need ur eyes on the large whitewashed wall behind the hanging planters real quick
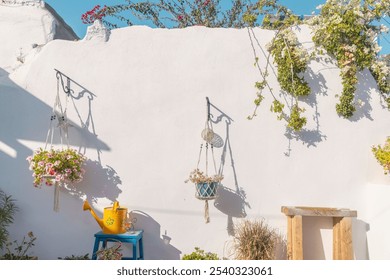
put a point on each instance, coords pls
(147, 89)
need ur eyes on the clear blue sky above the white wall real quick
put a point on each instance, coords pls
(71, 11)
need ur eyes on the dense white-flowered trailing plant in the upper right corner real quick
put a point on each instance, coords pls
(346, 30)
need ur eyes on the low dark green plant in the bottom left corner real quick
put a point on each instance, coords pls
(19, 250)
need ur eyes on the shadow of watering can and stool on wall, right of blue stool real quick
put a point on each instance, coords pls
(156, 245)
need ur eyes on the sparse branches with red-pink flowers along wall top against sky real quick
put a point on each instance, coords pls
(183, 13)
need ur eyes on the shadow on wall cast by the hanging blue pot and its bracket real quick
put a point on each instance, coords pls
(230, 202)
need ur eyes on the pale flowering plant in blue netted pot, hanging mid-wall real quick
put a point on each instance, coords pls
(206, 186)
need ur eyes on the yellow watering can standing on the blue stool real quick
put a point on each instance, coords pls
(114, 218)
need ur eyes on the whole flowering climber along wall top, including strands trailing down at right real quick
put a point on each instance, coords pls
(344, 29)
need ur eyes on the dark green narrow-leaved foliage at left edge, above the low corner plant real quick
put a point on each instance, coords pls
(7, 211)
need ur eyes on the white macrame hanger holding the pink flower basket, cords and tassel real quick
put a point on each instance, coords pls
(59, 115)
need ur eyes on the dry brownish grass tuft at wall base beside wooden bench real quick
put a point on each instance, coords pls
(254, 240)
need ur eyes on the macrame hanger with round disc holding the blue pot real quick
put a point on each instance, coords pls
(207, 192)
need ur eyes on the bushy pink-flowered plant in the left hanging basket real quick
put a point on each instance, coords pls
(56, 165)
